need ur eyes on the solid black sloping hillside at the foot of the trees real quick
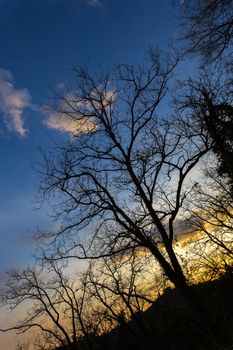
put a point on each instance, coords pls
(169, 325)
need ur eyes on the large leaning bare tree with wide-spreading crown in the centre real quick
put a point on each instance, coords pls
(121, 181)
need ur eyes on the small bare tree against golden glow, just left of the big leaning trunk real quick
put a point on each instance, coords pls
(122, 288)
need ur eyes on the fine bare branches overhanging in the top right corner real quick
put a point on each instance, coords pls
(208, 27)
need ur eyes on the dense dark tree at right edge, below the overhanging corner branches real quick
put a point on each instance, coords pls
(211, 97)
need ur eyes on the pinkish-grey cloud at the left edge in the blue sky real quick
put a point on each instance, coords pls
(12, 103)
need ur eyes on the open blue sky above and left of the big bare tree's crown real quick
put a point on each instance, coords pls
(40, 42)
